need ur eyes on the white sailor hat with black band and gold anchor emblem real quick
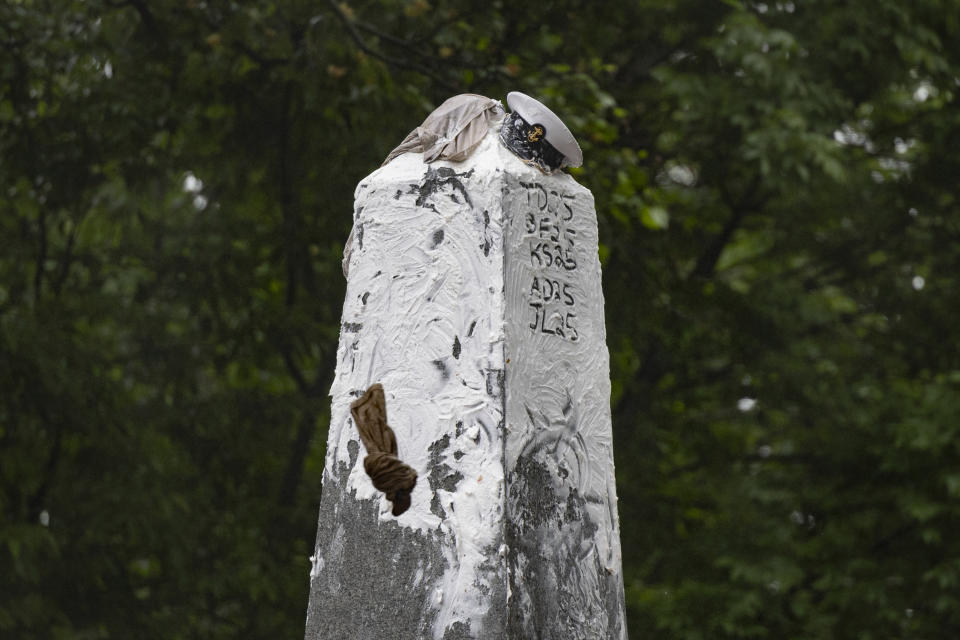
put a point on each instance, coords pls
(539, 125)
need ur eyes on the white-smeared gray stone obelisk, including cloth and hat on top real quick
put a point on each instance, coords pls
(474, 300)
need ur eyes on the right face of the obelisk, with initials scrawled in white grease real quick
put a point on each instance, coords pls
(562, 529)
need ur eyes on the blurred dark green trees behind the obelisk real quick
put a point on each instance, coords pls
(776, 184)
